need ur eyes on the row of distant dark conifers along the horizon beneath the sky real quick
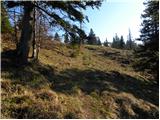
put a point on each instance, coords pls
(92, 39)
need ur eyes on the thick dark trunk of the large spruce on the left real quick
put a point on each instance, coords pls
(24, 45)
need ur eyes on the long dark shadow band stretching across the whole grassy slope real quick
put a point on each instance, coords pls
(36, 75)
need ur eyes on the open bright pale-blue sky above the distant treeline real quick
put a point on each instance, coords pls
(115, 16)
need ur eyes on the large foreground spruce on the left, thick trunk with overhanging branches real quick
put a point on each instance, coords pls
(73, 10)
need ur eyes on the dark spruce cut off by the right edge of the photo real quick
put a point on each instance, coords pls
(148, 52)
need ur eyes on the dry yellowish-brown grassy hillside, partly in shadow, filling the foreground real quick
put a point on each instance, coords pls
(99, 83)
